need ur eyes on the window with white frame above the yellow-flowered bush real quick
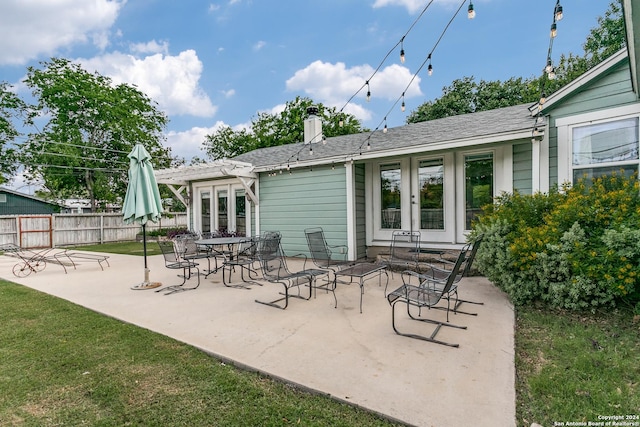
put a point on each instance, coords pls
(603, 148)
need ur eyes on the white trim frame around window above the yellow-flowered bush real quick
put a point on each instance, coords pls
(565, 128)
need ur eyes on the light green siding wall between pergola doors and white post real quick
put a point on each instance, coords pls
(306, 198)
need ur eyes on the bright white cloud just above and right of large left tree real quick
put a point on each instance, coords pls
(172, 81)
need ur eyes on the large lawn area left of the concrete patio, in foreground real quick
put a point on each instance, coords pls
(61, 364)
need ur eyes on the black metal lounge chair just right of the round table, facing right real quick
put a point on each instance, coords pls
(275, 270)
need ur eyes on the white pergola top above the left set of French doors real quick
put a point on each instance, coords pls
(220, 168)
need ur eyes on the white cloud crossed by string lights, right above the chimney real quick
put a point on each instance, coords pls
(334, 84)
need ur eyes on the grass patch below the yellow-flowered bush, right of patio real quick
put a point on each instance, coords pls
(575, 367)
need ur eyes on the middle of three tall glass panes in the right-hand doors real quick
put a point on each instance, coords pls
(431, 182)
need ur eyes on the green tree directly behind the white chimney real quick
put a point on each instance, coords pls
(269, 130)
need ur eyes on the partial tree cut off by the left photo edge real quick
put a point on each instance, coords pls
(11, 107)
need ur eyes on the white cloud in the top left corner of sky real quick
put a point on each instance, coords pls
(29, 29)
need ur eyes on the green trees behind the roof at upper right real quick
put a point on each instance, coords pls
(466, 96)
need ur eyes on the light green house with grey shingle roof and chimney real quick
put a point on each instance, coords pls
(432, 177)
